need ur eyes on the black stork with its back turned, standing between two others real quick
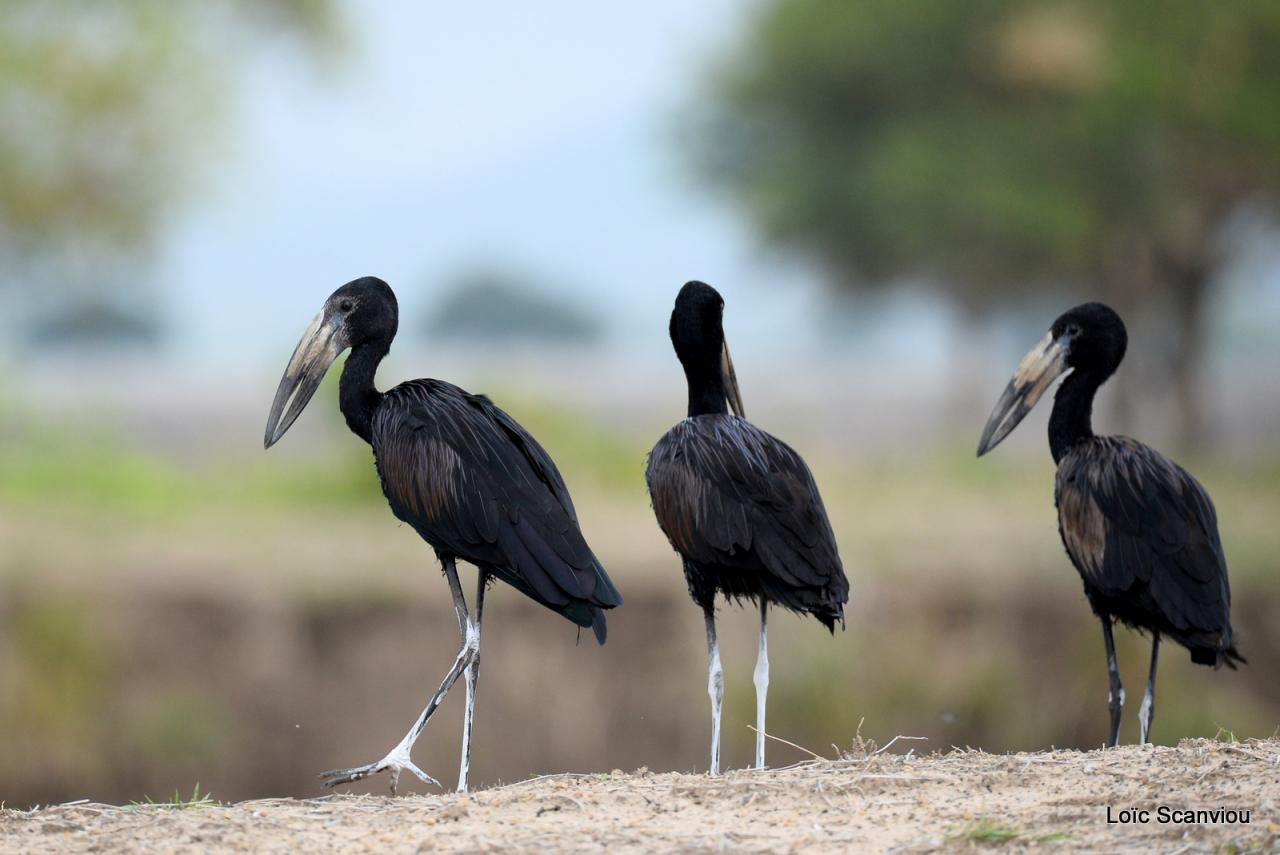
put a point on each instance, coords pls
(739, 506)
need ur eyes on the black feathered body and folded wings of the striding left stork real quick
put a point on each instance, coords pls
(477, 486)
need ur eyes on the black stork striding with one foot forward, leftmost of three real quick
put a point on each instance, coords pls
(464, 474)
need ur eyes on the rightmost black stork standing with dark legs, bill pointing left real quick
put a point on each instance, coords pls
(1140, 529)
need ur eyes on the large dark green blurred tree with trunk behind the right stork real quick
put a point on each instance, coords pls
(1002, 145)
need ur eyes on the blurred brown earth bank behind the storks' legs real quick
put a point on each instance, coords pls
(136, 693)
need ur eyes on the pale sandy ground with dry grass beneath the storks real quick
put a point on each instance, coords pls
(866, 802)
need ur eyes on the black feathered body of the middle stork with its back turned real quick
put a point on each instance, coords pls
(743, 510)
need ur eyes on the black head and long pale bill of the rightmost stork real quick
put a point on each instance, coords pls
(1090, 339)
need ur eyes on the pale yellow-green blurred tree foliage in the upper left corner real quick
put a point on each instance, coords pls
(108, 112)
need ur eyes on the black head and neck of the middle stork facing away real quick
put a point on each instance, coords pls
(698, 335)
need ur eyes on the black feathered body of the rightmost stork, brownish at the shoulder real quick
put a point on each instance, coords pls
(1144, 534)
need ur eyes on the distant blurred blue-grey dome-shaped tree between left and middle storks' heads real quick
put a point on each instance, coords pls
(492, 305)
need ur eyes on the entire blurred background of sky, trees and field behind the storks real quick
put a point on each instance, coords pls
(895, 200)
